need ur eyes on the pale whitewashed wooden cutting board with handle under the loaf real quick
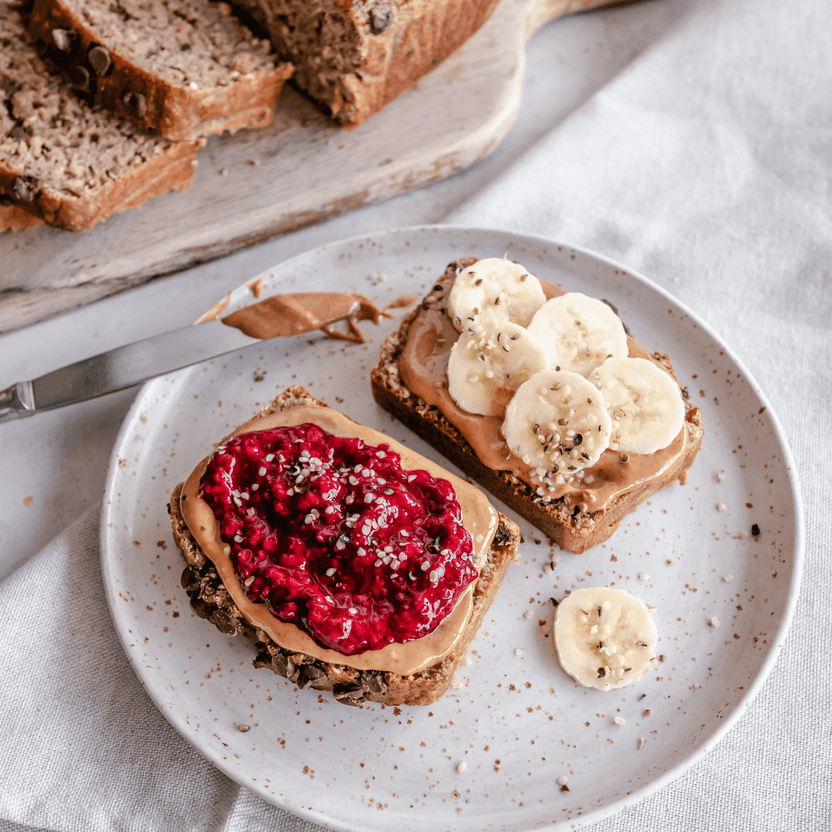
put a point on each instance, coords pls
(299, 171)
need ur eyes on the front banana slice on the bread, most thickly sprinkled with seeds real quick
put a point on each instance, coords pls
(558, 423)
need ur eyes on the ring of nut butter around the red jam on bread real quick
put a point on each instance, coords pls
(479, 518)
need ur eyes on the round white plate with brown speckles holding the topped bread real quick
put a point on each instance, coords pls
(518, 721)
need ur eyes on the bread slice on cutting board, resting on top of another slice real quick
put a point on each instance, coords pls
(186, 68)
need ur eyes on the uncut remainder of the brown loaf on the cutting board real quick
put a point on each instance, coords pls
(355, 56)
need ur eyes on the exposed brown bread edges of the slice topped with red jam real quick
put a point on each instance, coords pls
(211, 600)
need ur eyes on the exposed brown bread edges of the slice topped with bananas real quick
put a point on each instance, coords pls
(562, 520)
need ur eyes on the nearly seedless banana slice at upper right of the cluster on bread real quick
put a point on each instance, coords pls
(579, 332)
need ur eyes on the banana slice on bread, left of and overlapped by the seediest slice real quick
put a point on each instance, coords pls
(485, 369)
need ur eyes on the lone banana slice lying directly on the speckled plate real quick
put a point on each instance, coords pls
(604, 638)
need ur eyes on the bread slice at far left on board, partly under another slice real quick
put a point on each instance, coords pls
(71, 164)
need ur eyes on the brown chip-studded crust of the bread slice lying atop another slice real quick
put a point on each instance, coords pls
(131, 91)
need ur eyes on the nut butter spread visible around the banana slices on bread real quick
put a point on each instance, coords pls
(423, 367)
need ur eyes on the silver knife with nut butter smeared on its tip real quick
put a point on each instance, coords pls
(276, 316)
